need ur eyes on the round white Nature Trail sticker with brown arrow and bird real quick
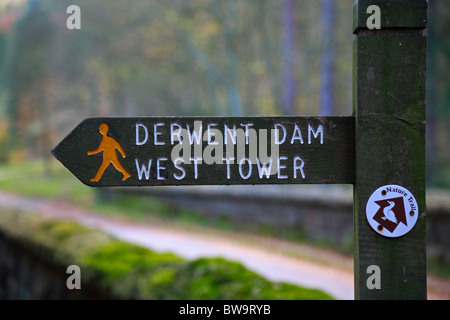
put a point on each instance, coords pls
(392, 211)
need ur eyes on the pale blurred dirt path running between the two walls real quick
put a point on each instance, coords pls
(267, 257)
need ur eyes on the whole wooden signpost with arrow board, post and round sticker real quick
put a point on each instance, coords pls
(380, 150)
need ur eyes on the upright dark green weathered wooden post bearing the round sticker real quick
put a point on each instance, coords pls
(389, 105)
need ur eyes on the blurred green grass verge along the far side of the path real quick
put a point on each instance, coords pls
(52, 181)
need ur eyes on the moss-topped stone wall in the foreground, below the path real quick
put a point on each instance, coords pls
(36, 252)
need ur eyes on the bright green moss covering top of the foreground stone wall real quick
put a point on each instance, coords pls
(119, 270)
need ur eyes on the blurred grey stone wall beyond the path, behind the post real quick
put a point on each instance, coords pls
(315, 213)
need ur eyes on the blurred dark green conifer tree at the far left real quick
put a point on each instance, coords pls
(26, 74)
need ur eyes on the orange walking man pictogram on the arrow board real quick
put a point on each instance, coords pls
(109, 146)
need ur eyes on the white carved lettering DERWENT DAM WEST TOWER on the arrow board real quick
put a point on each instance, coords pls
(245, 152)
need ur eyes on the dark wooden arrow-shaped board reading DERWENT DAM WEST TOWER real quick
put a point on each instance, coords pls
(210, 151)
